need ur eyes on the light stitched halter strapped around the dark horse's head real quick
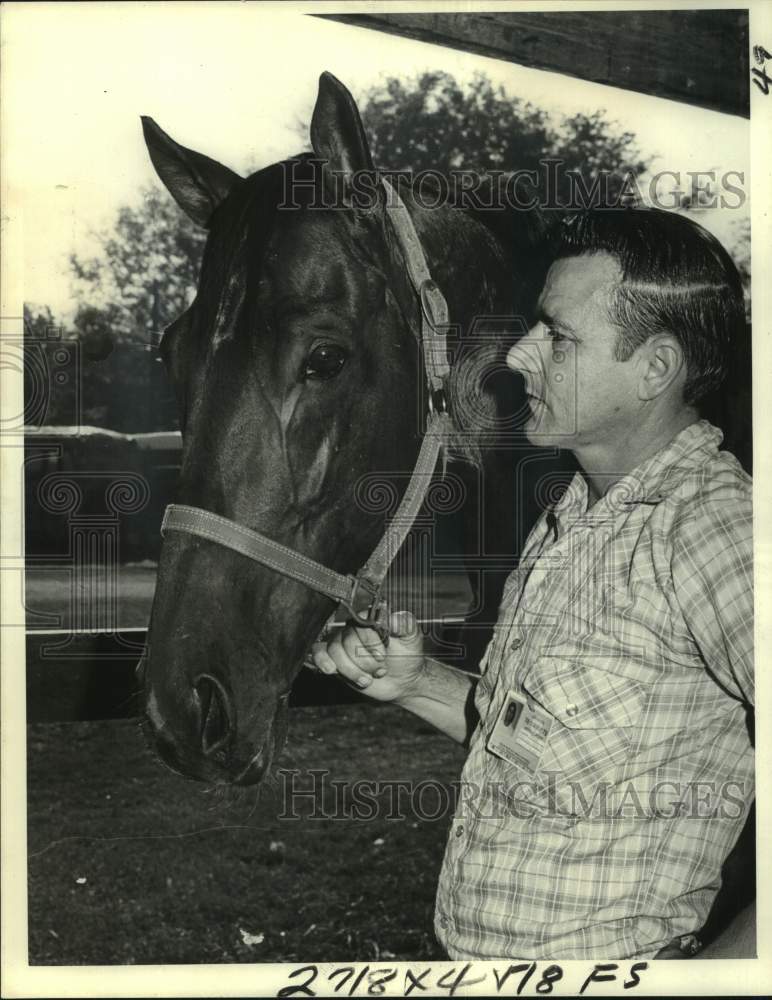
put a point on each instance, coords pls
(359, 593)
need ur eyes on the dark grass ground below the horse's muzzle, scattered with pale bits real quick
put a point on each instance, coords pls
(130, 864)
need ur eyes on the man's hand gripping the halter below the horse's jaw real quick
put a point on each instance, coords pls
(386, 673)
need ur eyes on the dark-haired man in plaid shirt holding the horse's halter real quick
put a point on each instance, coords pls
(596, 825)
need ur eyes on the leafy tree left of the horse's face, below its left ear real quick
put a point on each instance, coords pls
(144, 277)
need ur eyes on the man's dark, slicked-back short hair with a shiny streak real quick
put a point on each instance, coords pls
(676, 278)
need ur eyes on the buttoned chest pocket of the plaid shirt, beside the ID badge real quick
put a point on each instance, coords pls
(594, 714)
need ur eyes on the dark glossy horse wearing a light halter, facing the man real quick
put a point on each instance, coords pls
(298, 371)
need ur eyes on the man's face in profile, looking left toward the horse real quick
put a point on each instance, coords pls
(578, 393)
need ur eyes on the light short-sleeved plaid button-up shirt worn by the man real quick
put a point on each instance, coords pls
(628, 630)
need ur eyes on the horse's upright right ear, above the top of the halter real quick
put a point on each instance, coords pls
(337, 134)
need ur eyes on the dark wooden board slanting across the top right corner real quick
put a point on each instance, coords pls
(696, 56)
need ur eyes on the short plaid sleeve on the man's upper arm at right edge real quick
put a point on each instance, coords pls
(713, 580)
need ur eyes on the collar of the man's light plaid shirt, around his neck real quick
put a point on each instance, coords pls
(654, 479)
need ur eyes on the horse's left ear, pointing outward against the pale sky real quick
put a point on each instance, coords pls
(197, 183)
